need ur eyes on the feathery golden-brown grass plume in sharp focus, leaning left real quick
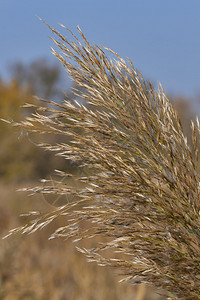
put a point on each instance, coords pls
(141, 188)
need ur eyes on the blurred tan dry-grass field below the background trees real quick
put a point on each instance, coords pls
(34, 267)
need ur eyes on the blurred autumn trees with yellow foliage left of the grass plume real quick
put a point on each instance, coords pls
(21, 159)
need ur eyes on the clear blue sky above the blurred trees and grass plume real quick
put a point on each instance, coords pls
(162, 38)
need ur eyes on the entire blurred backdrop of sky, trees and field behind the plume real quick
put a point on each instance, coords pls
(162, 38)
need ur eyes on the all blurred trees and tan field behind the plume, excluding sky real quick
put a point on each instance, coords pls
(33, 267)
